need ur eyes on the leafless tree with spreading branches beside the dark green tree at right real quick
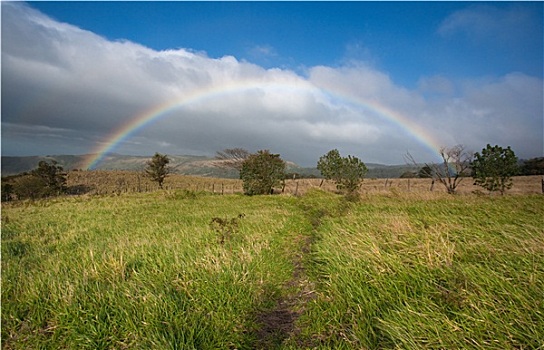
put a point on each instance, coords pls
(452, 169)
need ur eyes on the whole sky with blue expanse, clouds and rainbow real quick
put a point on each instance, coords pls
(372, 79)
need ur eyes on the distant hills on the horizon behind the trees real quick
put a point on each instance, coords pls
(180, 164)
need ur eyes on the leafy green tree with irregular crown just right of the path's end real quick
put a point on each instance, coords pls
(347, 172)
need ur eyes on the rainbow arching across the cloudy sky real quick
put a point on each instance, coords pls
(149, 116)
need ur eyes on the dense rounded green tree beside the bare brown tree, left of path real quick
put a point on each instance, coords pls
(261, 172)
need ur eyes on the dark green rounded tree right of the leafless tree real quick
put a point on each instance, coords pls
(494, 167)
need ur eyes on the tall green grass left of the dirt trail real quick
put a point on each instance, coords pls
(141, 271)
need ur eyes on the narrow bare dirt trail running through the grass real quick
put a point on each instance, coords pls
(279, 324)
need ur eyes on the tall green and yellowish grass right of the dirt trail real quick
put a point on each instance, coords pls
(443, 273)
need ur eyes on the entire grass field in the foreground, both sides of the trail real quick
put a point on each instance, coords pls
(396, 270)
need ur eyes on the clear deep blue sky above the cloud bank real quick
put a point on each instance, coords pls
(405, 39)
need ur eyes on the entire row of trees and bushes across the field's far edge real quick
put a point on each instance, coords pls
(263, 171)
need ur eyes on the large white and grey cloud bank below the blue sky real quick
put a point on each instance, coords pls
(66, 90)
